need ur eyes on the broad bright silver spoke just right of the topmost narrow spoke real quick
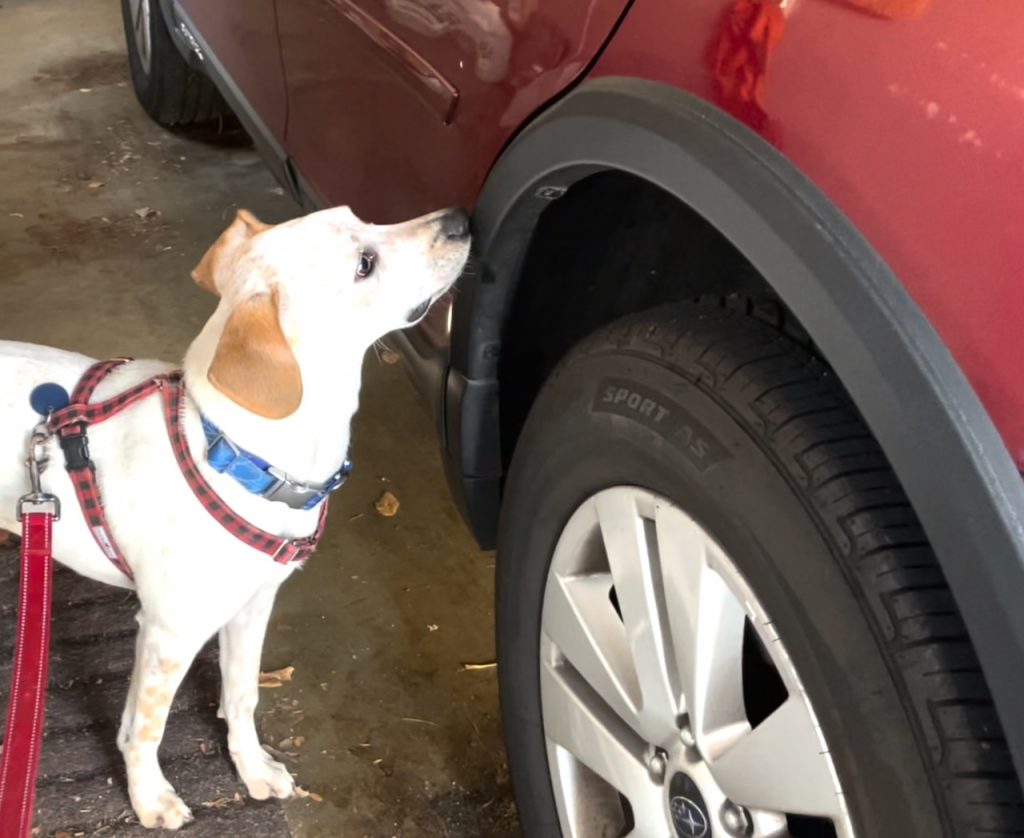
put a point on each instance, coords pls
(707, 624)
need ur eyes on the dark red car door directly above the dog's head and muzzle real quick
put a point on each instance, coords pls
(400, 107)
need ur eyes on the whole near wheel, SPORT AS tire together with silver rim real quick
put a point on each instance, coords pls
(717, 613)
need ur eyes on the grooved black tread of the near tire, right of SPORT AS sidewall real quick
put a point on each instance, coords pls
(799, 410)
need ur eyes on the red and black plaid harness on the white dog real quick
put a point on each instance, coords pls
(71, 425)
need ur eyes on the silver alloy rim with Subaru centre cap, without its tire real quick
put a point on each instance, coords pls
(670, 705)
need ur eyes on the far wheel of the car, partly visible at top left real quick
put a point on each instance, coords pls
(169, 91)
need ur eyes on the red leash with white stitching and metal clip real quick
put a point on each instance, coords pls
(27, 700)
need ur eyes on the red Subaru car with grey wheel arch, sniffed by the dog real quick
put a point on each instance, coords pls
(733, 385)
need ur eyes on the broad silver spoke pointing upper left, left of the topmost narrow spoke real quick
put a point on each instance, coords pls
(583, 625)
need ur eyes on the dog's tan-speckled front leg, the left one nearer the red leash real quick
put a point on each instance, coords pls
(162, 658)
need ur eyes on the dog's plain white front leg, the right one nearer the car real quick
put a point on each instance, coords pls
(241, 647)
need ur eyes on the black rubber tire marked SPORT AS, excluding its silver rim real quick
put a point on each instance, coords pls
(764, 451)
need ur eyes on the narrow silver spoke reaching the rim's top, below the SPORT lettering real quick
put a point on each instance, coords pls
(632, 552)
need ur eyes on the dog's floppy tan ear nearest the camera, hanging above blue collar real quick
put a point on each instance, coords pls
(254, 366)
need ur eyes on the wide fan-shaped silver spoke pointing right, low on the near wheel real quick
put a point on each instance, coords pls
(781, 766)
